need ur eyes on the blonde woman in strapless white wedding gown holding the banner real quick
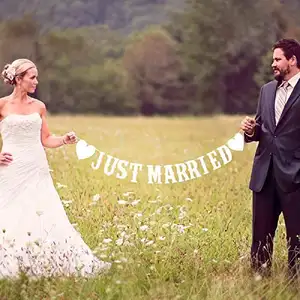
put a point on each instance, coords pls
(36, 237)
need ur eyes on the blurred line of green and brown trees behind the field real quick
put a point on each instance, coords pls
(209, 58)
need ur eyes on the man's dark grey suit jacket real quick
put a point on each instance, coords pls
(280, 143)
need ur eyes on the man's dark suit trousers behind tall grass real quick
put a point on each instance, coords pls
(267, 206)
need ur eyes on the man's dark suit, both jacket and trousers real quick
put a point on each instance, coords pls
(275, 178)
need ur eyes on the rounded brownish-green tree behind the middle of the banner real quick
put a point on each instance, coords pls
(155, 70)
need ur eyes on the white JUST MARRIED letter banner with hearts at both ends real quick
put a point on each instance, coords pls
(162, 174)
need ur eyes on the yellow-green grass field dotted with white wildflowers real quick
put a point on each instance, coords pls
(186, 240)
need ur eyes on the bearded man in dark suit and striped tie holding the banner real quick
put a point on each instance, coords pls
(275, 178)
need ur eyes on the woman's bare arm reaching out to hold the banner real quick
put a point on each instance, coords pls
(49, 140)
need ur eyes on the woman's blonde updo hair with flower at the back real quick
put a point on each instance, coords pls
(17, 68)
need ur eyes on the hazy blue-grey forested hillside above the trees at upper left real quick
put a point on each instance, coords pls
(124, 15)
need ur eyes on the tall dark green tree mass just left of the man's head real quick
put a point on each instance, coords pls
(222, 43)
